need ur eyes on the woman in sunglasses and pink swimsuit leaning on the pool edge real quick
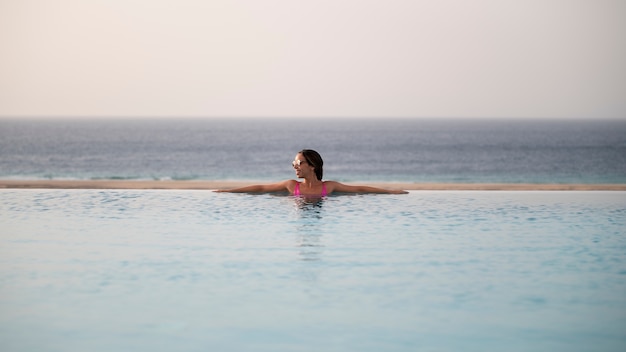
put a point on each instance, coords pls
(308, 165)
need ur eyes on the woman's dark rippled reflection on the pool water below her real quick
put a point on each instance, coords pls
(309, 227)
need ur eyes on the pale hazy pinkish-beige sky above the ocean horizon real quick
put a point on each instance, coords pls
(335, 58)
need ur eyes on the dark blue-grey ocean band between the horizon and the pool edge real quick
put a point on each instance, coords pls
(393, 150)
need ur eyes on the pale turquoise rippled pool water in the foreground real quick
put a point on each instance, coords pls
(92, 270)
